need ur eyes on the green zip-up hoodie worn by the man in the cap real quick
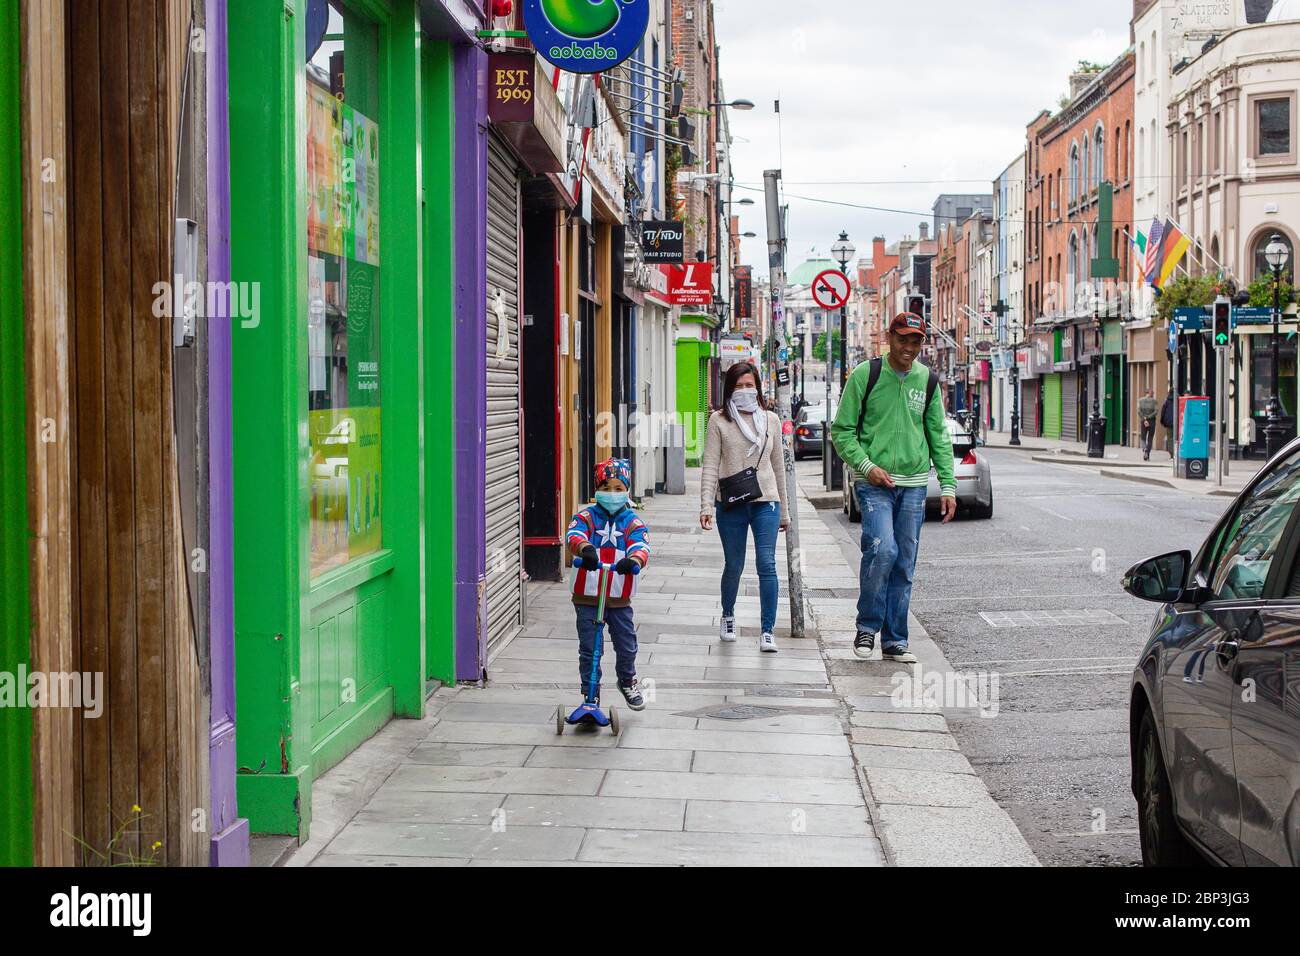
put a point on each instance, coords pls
(898, 434)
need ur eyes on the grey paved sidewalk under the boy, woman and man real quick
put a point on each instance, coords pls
(740, 759)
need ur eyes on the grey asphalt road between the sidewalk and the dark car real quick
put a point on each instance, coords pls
(1056, 756)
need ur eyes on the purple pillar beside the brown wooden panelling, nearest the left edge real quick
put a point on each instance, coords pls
(229, 846)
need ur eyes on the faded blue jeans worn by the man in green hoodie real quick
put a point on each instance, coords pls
(891, 531)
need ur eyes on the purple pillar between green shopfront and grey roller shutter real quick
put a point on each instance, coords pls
(471, 412)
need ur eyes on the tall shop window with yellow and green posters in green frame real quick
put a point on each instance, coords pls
(344, 340)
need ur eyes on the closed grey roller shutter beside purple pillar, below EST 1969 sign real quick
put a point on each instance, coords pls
(504, 448)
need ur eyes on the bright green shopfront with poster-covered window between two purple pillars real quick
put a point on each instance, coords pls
(341, 119)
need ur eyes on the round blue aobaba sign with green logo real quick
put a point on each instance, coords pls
(587, 36)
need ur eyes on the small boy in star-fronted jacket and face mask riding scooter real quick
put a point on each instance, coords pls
(609, 533)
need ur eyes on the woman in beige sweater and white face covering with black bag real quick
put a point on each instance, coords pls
(743, 487)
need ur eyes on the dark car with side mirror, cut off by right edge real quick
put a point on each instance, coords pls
(1215, 703)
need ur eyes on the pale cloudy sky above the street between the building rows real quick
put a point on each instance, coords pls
(898, 101)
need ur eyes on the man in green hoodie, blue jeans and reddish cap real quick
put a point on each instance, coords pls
(889, 431)
